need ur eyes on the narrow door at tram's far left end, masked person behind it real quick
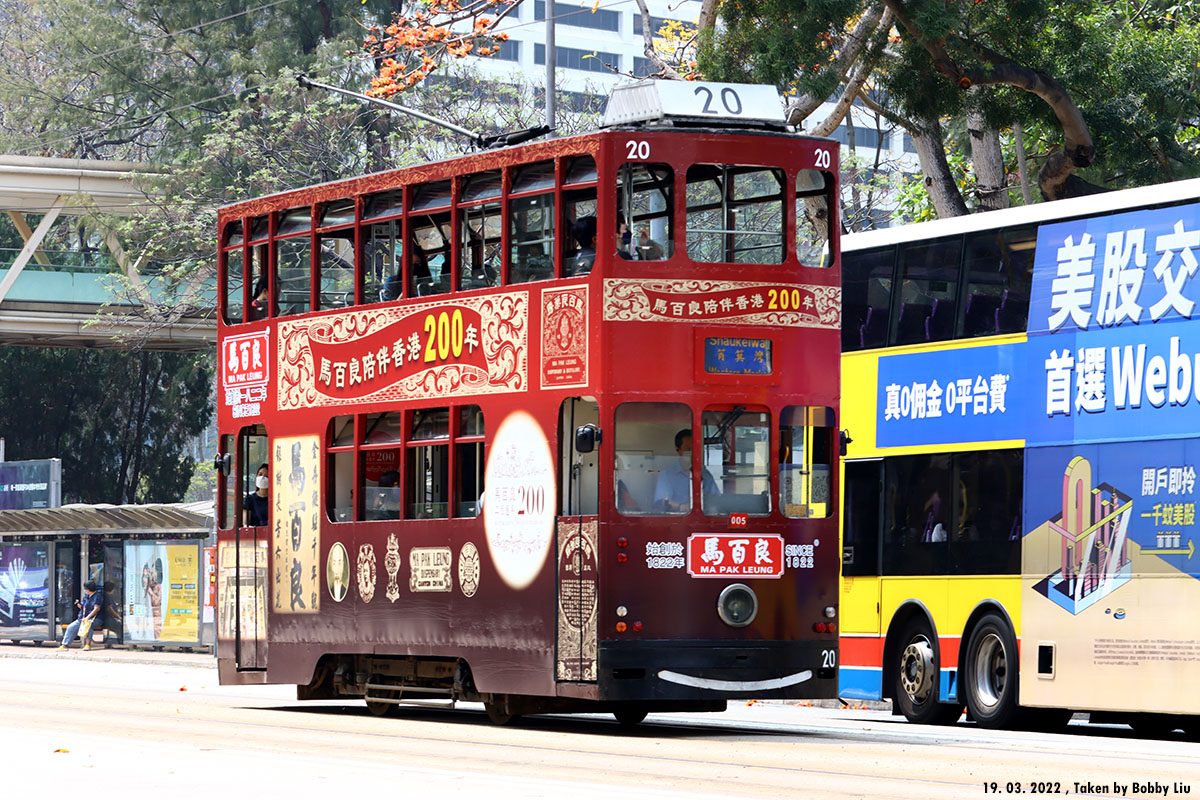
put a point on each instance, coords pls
(251, 550)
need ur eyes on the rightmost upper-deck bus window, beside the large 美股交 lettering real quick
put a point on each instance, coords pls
(999, 274)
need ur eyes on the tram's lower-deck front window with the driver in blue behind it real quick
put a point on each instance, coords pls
(653, 459)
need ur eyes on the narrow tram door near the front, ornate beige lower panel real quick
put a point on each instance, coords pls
(577, 544)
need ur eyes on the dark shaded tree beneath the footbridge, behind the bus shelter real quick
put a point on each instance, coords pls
(119, 422)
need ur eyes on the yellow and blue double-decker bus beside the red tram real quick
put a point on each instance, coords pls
(1022, 400)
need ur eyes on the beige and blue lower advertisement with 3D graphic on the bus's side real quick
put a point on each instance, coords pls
(1109, 562)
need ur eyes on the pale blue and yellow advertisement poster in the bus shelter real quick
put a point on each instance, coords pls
(163, 598)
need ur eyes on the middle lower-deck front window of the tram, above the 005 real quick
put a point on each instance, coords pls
(736, 462)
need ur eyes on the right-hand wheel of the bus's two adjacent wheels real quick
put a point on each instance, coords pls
(992, 673)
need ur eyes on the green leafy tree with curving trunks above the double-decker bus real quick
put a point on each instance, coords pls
(1108, 91)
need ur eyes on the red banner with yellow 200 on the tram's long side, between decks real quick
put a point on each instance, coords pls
(393, 353)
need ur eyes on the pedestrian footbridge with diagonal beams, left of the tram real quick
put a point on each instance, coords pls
(93, 297)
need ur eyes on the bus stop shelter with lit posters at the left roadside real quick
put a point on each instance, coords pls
(154, 563)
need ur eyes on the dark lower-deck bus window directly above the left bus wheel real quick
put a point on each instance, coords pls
(917, 497)
